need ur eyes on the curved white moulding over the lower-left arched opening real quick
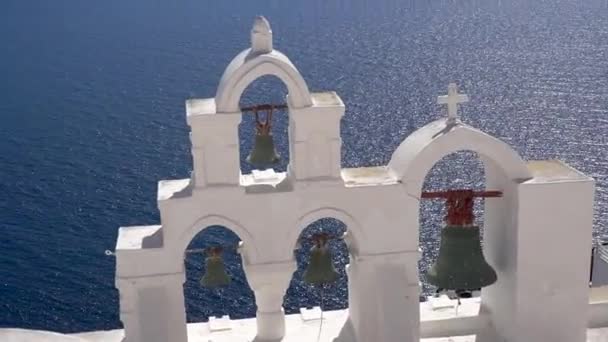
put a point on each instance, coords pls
(250, 247)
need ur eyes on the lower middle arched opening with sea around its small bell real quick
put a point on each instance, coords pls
(332, 296)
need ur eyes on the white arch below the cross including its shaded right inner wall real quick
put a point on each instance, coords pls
(504, 170)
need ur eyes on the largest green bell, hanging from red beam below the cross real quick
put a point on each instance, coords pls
(461, 264)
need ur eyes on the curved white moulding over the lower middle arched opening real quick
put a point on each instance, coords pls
(356, 233)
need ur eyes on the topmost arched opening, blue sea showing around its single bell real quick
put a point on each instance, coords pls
(267, 89)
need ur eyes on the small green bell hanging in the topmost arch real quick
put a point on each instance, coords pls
(264, 152)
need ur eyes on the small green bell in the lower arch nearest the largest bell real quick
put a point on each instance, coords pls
(320, 270)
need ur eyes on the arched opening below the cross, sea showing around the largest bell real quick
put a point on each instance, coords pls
(459, 170)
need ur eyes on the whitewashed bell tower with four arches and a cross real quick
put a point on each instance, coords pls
(537, 236)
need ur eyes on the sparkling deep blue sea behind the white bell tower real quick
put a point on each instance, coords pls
(92, 116)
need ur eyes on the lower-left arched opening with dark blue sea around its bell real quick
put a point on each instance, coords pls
(235, 299)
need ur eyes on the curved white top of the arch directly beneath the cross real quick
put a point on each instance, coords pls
(417, 154)
